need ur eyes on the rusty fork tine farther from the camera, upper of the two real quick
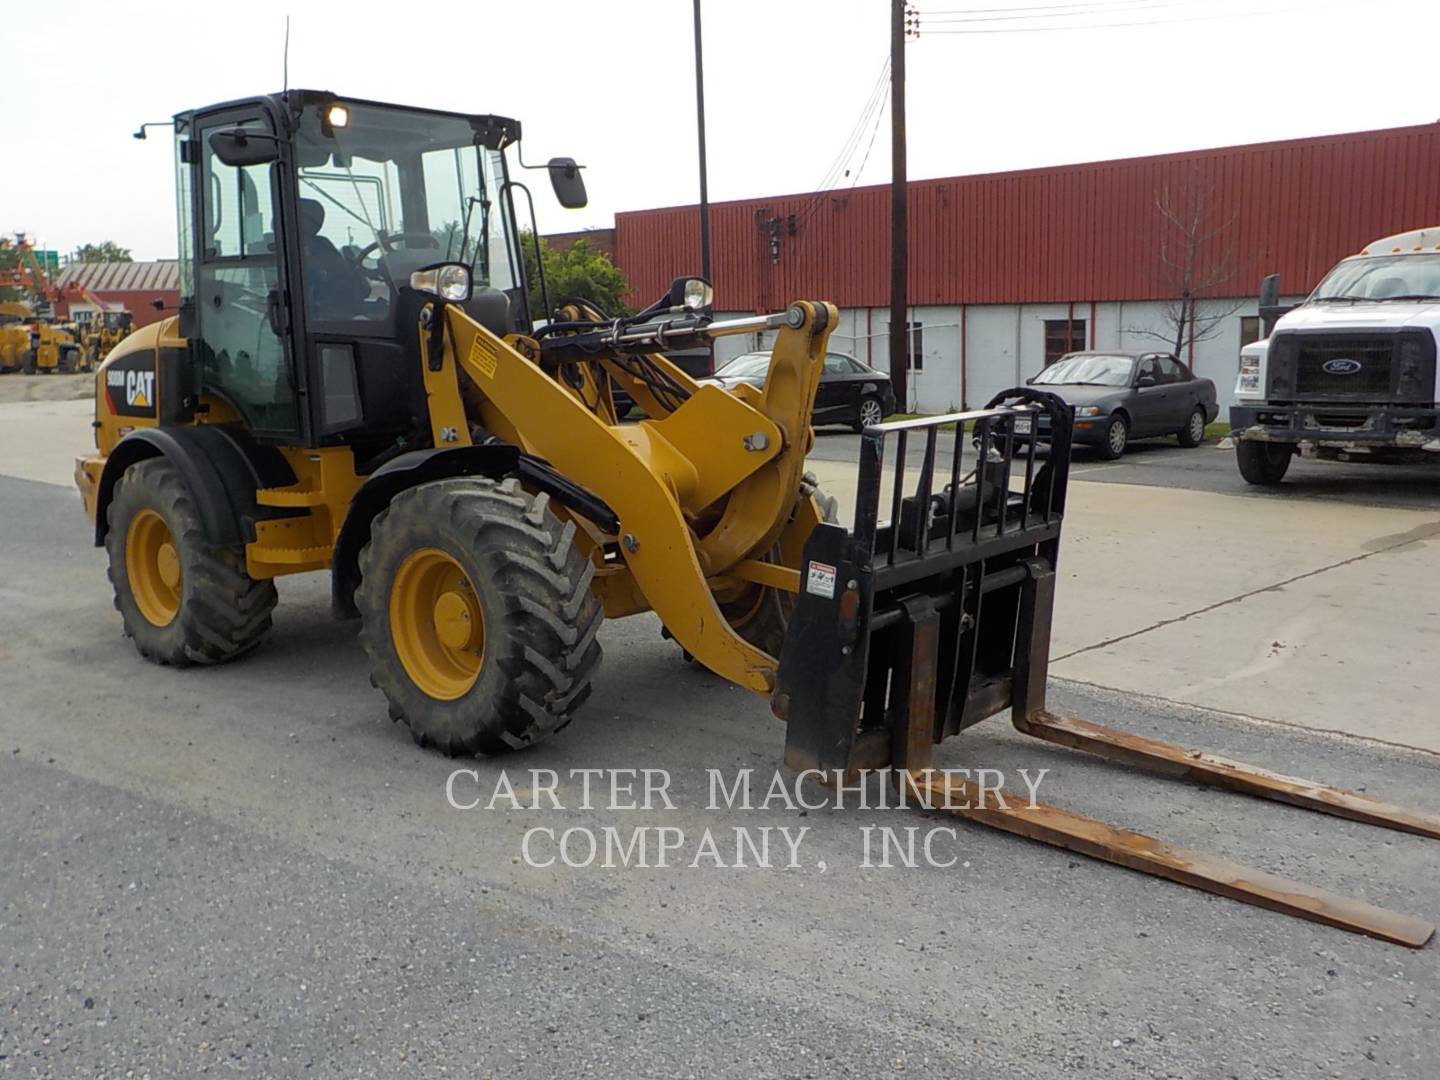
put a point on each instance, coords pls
(1223, 773)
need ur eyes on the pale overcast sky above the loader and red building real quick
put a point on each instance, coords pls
(613, 84)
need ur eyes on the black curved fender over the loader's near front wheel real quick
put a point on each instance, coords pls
(493, 460)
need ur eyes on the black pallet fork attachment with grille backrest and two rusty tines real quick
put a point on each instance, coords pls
(911, 631)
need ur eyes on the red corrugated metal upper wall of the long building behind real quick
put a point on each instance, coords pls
(1068, 234)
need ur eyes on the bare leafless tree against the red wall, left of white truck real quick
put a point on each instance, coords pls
(1194, 263)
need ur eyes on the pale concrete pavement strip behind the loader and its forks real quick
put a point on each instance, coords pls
(1301, 611)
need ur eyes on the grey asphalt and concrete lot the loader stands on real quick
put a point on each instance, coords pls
(250, 870)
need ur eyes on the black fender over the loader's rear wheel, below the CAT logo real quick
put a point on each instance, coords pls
(222, 467)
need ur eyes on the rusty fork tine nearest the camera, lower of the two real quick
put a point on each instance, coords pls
(1150, 856)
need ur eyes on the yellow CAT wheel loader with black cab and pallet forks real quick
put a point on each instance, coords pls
(356, 384)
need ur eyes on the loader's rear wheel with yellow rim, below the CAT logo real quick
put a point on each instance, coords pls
(181, 600)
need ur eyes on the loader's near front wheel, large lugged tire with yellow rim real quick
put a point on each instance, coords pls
(477, 616)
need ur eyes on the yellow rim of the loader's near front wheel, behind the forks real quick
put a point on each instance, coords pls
(437, 624)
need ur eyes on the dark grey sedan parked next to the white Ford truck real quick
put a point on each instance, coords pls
(1120, 397)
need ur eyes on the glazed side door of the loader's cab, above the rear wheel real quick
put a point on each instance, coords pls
(244, 351)
